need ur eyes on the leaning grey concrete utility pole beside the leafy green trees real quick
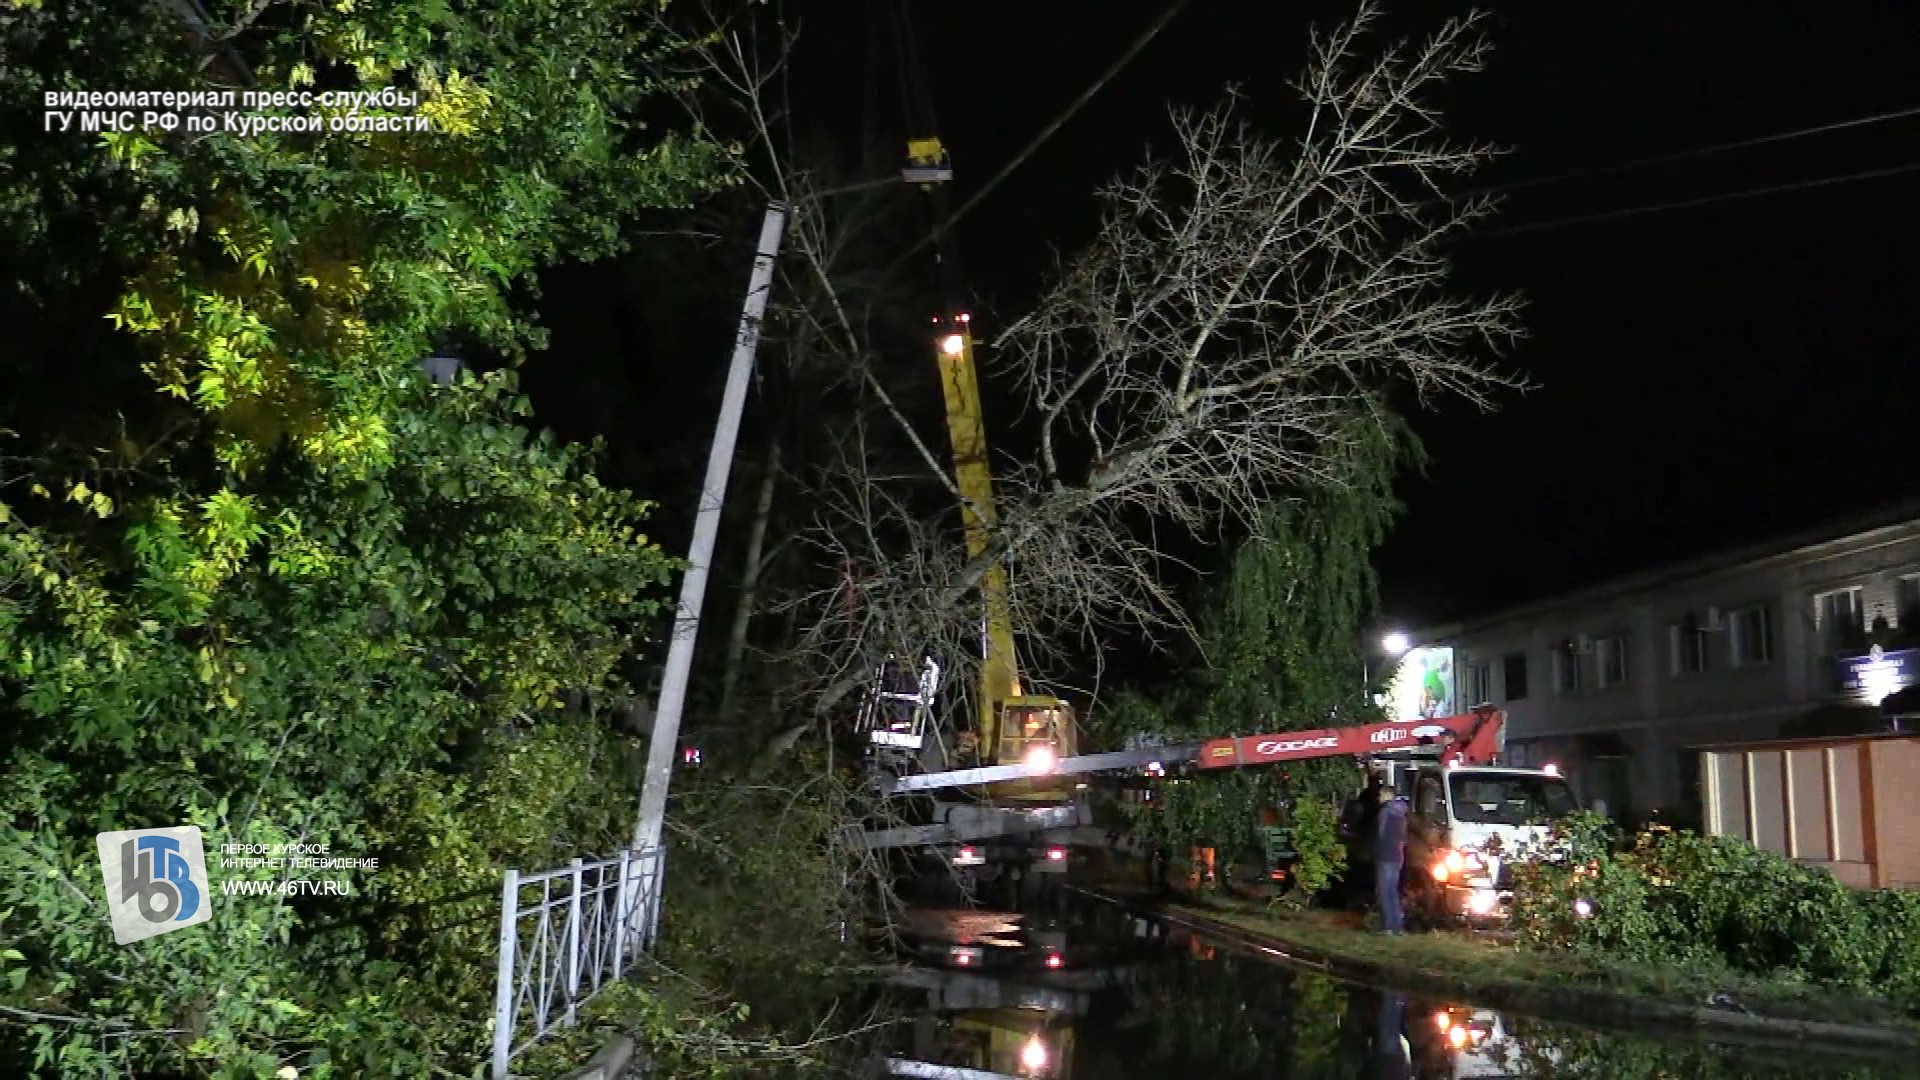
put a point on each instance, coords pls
(706, 531)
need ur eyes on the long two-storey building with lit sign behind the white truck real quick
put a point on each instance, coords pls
(1616, 683)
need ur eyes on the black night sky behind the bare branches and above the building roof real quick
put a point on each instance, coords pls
(1708, 376)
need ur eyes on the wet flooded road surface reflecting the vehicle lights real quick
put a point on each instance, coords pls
(1084, 991)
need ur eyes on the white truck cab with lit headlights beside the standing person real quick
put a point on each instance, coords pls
(1466, 829)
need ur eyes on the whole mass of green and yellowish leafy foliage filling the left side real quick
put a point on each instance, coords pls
(254, 574)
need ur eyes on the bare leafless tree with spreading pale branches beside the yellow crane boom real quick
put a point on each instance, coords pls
(1230, 335)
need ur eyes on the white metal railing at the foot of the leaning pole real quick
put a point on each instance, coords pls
(558, 948)
